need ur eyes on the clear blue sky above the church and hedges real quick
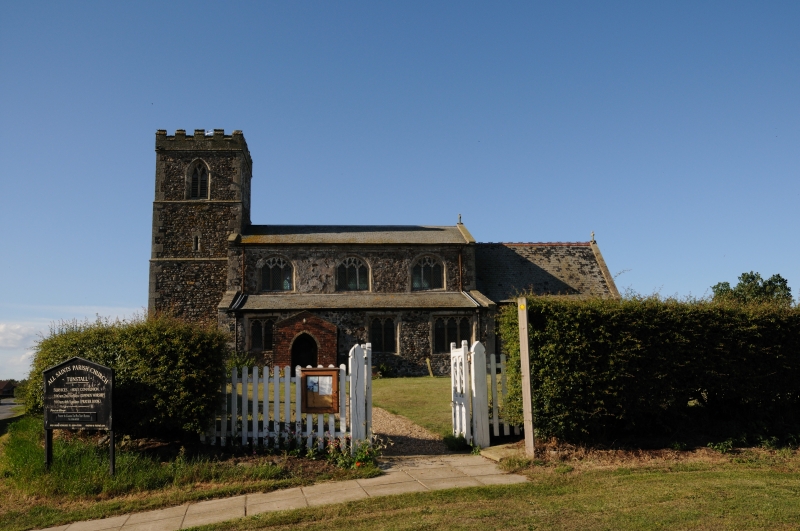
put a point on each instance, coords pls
(671, 130)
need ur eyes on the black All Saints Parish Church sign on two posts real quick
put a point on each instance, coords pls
(77, 396)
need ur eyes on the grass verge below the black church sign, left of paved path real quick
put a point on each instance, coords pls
(79, 487)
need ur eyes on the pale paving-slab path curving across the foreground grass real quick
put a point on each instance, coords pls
(403, 474)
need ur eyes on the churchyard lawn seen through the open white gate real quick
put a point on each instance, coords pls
(424, 401)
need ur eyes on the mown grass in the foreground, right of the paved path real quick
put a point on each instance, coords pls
(699, 496)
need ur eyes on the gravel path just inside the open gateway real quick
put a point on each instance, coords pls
(407, 437)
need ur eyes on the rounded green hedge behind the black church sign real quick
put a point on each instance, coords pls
(167, 372)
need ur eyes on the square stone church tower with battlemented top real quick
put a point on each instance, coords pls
(202, 196)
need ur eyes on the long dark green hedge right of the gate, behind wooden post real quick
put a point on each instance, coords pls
(609, 369)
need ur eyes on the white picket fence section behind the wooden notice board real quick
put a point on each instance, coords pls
(259, 407)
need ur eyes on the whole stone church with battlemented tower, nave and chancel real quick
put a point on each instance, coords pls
(305, 294)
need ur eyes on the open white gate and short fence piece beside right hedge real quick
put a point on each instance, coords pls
(471, 393)
